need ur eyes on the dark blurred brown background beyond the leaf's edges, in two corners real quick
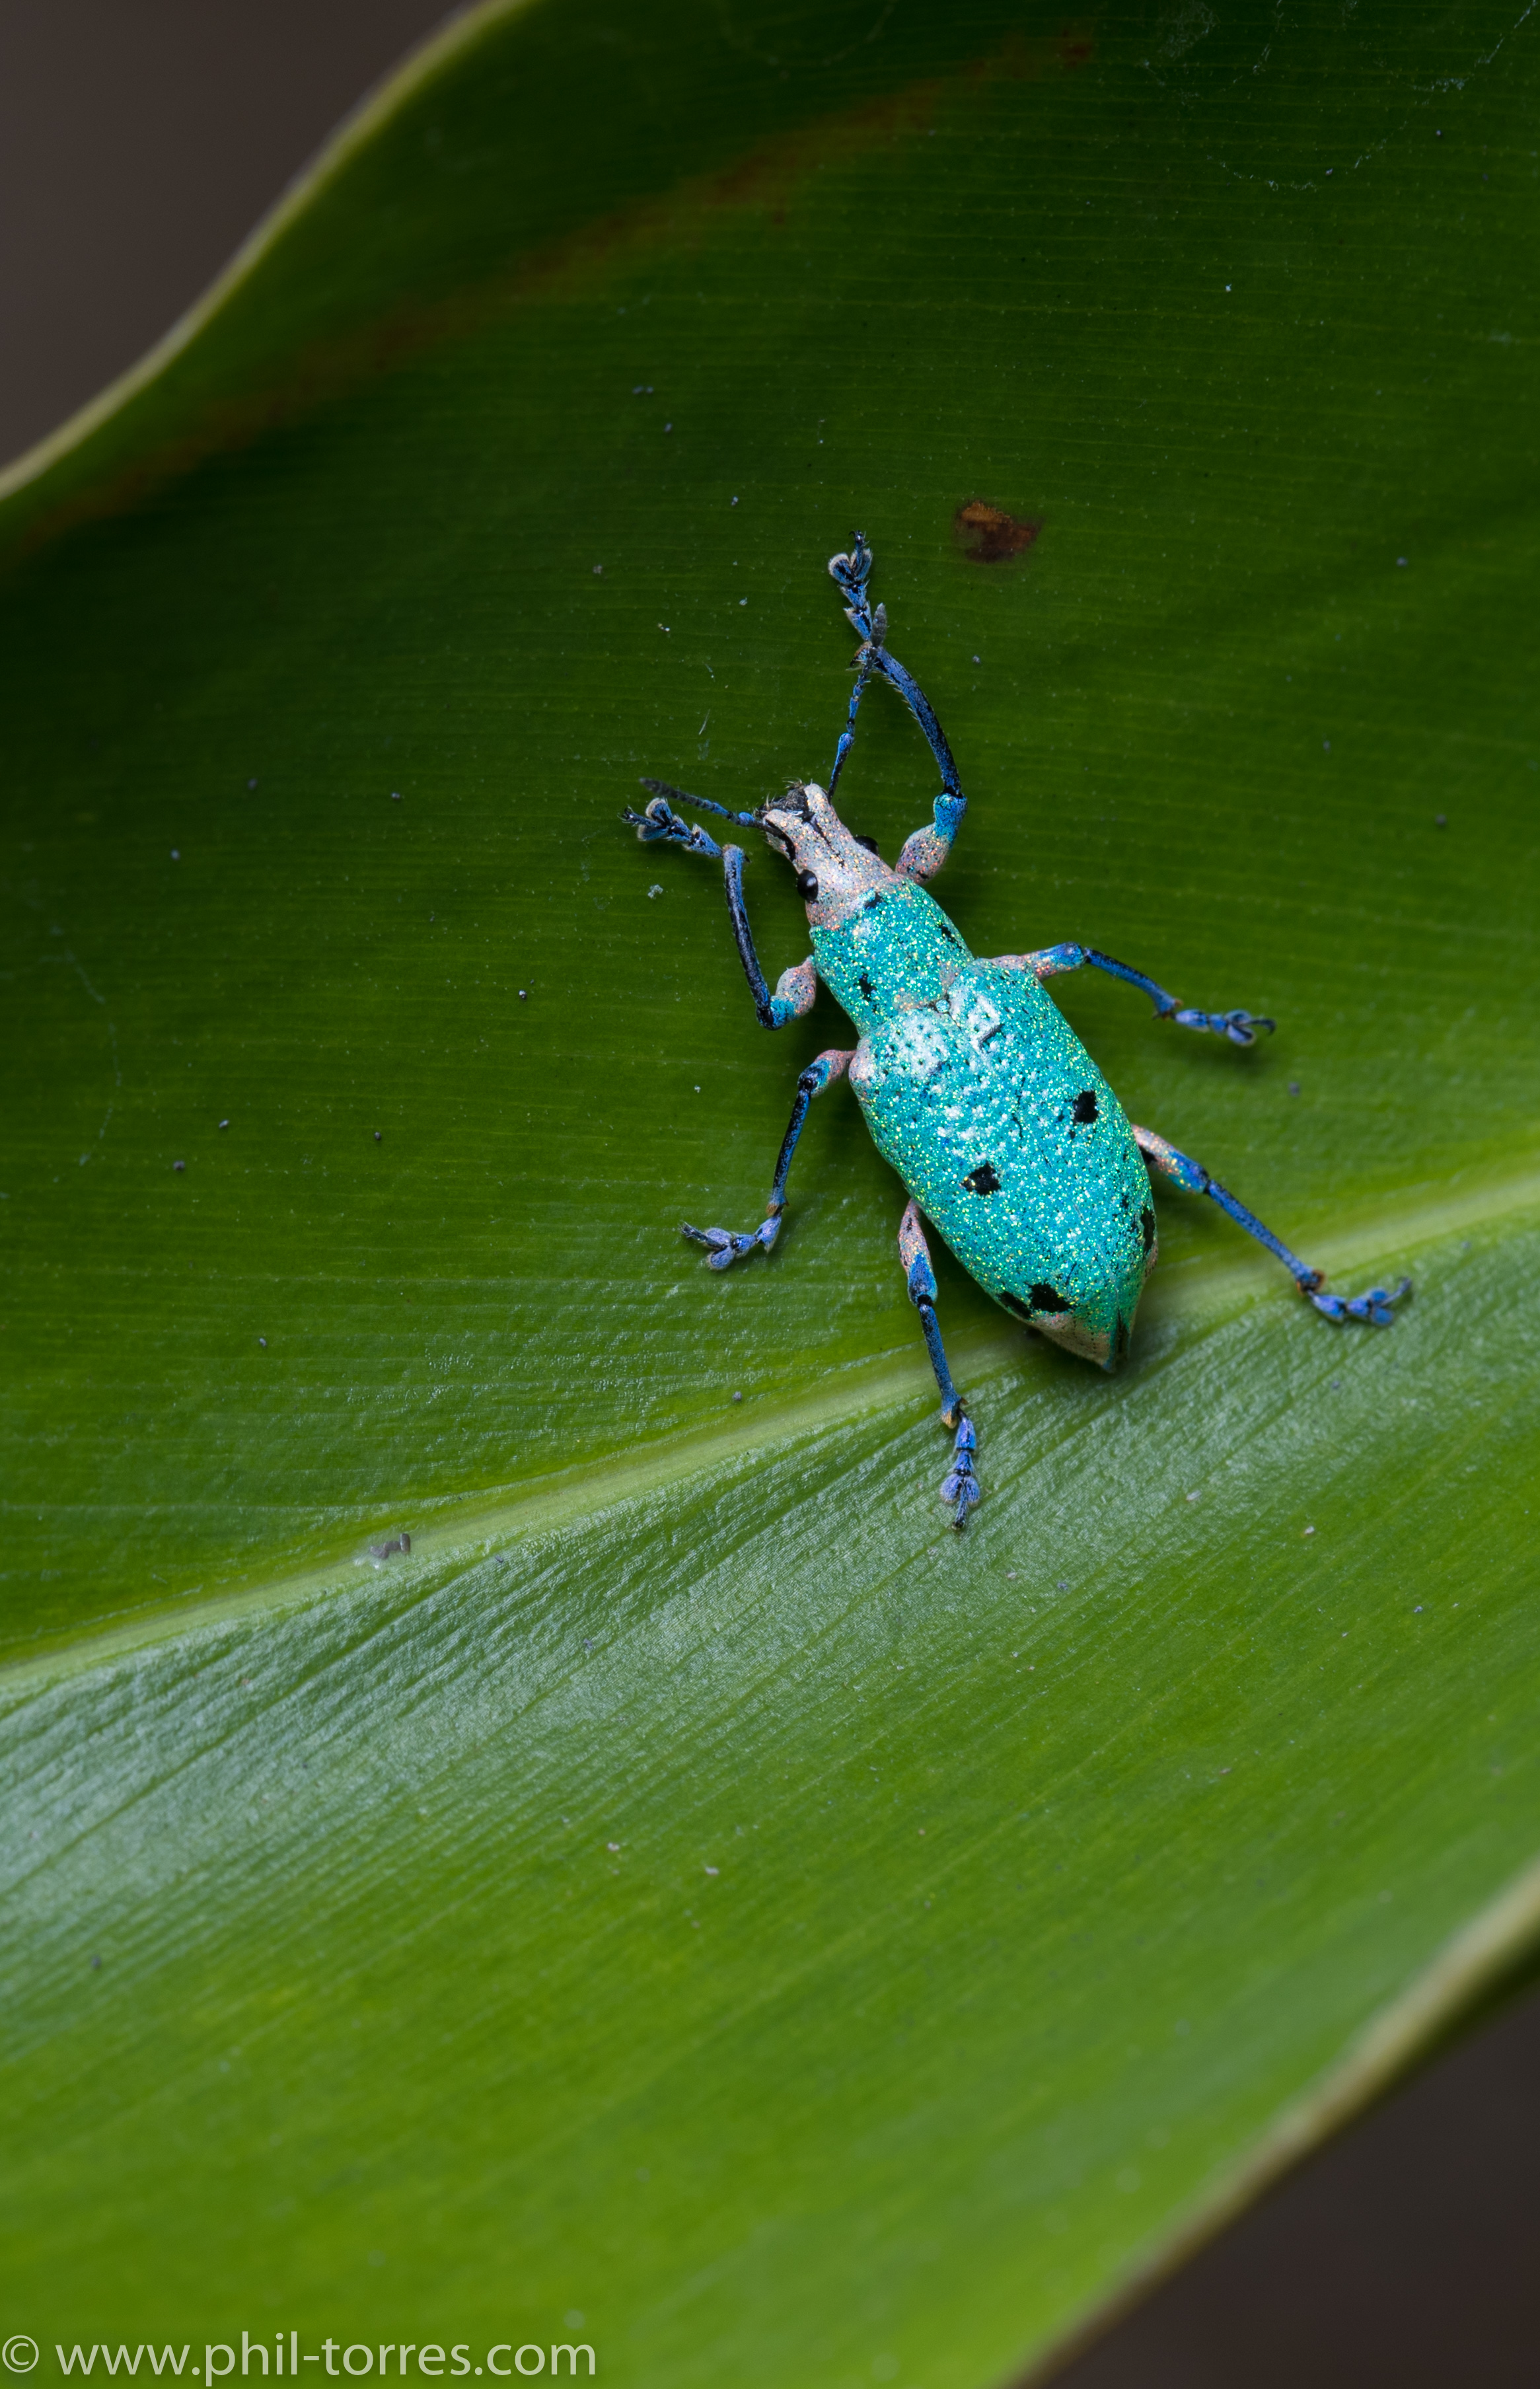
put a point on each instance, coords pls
(140, 142)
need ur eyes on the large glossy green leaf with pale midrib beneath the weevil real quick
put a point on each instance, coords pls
(694, 1891)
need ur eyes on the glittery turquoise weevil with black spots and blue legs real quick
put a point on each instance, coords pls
(973, 1083)
